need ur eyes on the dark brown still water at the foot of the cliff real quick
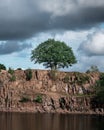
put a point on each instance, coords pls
(23, 121)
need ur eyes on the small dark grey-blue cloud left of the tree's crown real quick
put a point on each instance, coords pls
(13, 46)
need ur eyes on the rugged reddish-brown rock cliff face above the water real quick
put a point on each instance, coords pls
(46, 91)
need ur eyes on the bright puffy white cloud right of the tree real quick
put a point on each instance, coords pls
(94, 45)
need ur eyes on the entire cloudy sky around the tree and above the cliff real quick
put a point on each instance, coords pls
(24, 24)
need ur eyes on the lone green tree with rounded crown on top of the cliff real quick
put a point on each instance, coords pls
(53, 54)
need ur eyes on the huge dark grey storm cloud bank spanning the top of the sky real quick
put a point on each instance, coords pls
(20, 19)
